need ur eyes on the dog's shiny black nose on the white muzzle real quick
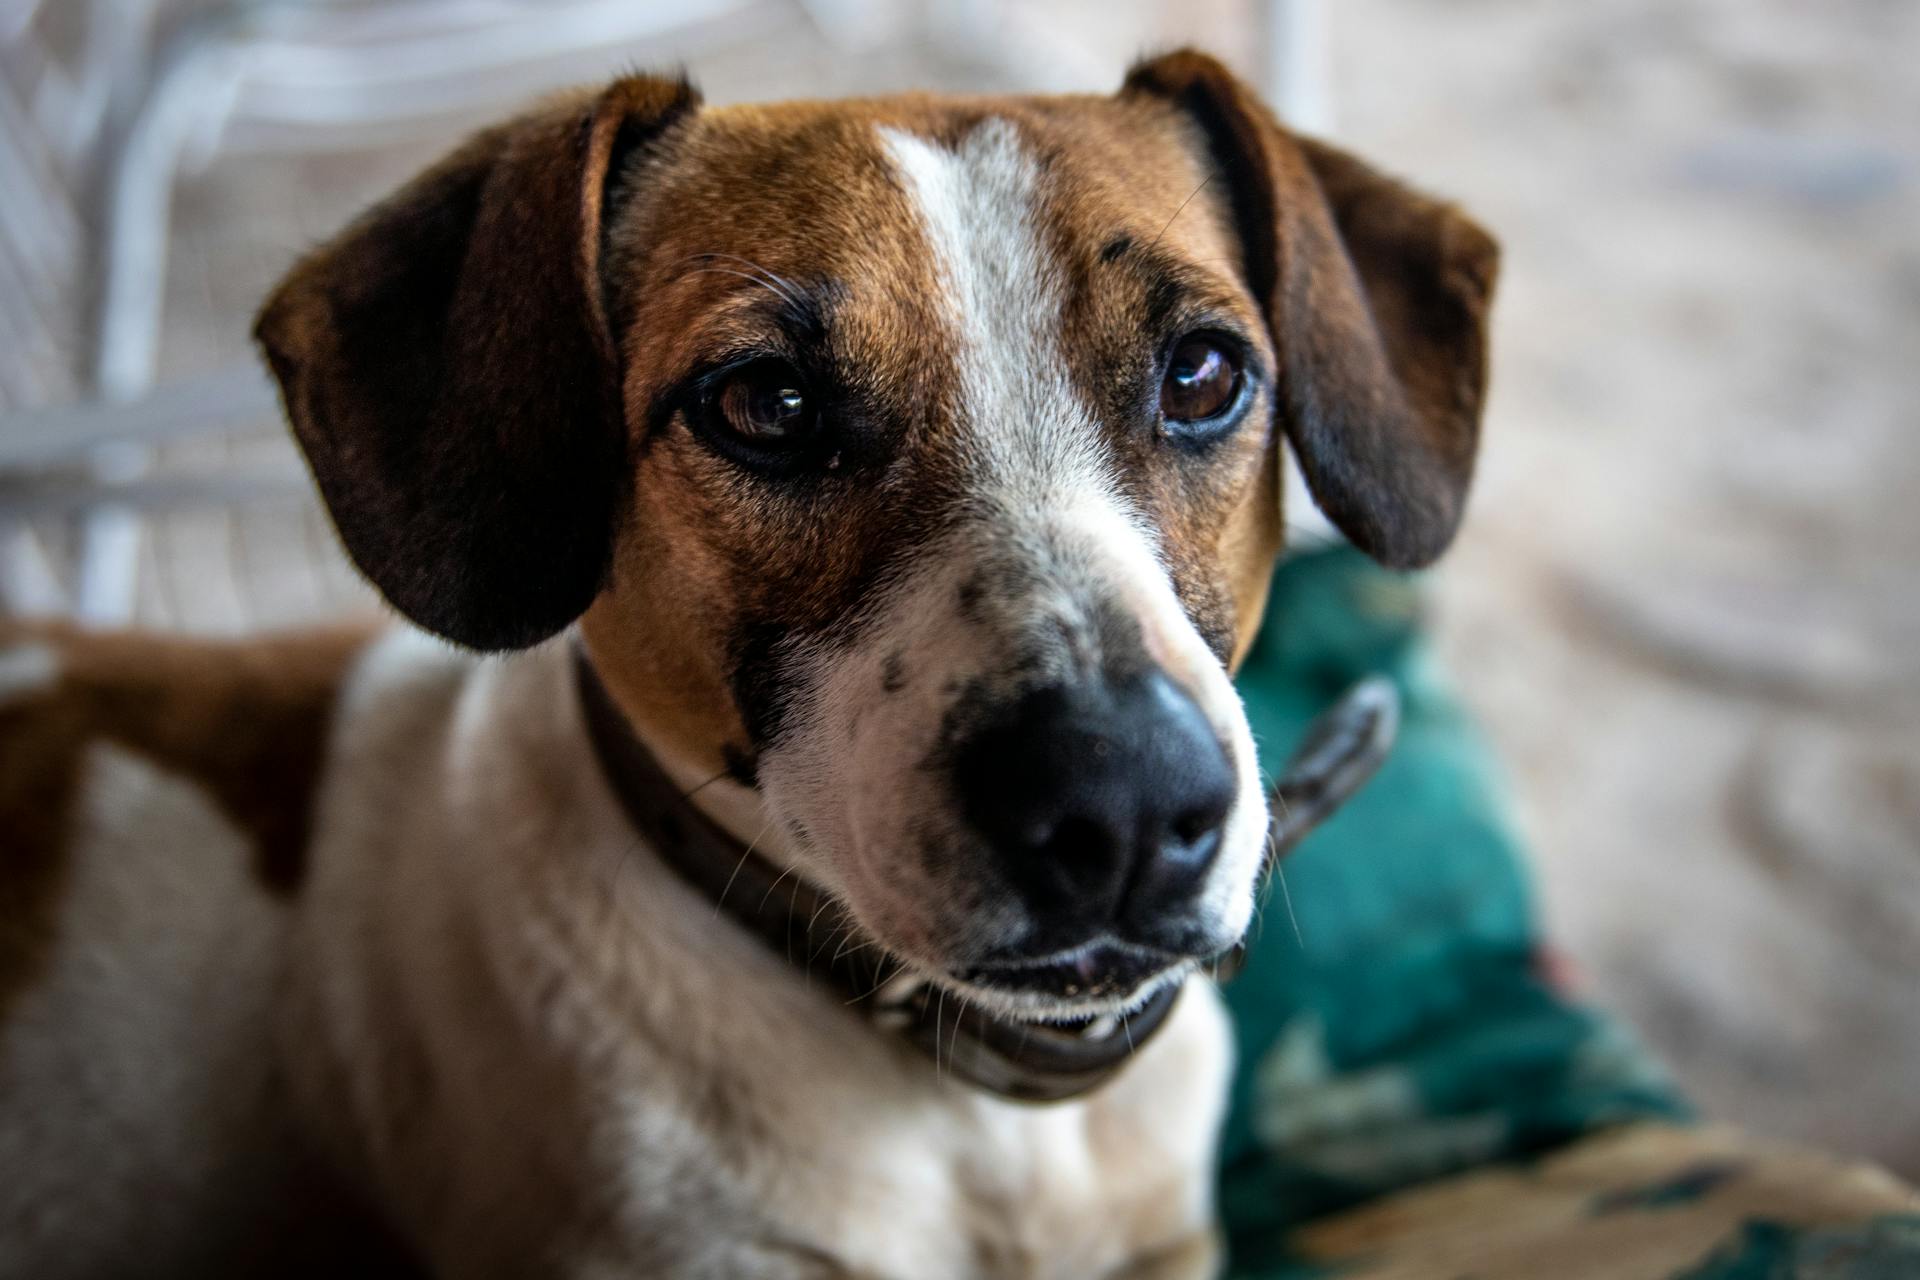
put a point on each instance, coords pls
(1103, 803)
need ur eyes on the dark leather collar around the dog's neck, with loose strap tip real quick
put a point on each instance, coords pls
(1026, 1062)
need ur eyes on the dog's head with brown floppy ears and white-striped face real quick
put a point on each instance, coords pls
(913, 462)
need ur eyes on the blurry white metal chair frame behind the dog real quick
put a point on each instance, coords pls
(276, 76)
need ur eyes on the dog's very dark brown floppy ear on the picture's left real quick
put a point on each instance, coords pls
(450, 373)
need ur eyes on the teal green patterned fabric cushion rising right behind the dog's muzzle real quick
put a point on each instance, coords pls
(1395, 1018)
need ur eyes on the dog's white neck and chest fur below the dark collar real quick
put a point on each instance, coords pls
(519, 1020)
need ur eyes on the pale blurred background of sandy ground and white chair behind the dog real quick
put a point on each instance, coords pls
(1687, 602)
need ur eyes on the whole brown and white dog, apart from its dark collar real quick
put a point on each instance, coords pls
(911, 473)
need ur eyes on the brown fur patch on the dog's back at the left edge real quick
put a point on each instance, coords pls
(247, 721)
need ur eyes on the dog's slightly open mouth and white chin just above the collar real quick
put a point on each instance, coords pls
(1090, 982)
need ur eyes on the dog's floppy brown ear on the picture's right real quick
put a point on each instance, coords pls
(1378, 298)
